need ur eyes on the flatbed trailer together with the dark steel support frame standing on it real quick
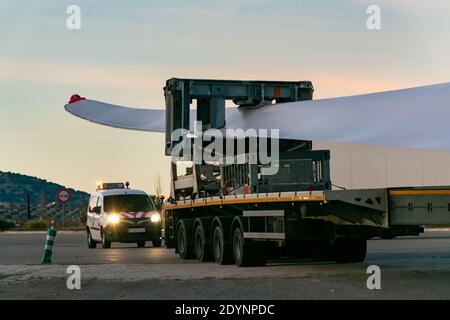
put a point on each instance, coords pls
(237, 213)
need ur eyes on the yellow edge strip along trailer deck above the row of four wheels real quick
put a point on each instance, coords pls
(240, 201)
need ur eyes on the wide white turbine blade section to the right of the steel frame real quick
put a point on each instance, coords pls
(411, 118)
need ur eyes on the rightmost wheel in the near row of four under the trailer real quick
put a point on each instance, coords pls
(250, 254)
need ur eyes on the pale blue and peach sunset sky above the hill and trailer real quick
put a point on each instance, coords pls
(125, 50)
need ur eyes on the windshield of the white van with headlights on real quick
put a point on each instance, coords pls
(128, 203)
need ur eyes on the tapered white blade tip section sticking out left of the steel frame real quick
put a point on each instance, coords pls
(117, 116)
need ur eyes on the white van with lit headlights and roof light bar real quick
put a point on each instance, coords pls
(119, 214)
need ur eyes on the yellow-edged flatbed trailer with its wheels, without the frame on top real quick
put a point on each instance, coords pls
(321, 225)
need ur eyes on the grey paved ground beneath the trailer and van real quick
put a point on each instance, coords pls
(411, 268)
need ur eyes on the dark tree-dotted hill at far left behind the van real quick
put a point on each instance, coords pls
(15, 187)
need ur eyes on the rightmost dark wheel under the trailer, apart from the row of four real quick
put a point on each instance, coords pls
(351, 250)
